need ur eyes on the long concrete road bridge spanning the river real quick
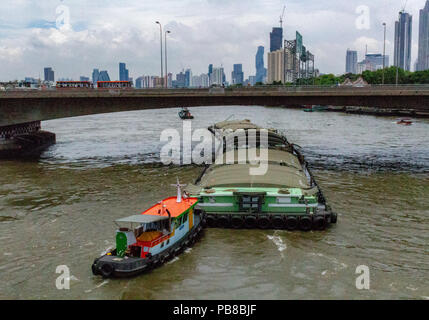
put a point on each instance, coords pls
(17, 107)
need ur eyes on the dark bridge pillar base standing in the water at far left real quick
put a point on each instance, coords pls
(24, 140)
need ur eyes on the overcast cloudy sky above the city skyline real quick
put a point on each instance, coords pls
(223, 32)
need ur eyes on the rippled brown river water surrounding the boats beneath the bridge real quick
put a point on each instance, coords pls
(59, 210)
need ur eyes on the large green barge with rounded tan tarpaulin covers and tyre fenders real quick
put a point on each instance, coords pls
(285, 197)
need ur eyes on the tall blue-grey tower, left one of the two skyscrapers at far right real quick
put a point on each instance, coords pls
(403, 33)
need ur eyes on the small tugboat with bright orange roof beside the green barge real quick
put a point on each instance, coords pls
(154, 236)
